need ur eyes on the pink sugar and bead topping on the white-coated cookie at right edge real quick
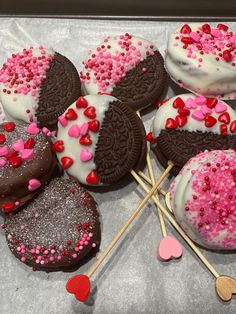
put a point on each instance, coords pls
(214, 200)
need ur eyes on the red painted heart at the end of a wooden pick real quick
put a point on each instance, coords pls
(79, 285)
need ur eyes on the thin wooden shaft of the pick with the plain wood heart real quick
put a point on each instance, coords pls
(179, 229)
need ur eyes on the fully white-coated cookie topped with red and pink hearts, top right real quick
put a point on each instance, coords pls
(201, 57)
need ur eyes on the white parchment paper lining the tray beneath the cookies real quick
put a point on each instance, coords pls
(131, 279)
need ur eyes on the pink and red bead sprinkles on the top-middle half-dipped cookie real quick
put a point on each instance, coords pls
(110, 67)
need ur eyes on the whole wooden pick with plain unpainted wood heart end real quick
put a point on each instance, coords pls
(225, 286)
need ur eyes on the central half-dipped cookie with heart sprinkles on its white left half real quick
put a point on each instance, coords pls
(99, 140)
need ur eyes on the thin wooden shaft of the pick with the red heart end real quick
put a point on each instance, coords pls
(132, 217)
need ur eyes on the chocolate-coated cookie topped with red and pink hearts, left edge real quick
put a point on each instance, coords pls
(26, 163)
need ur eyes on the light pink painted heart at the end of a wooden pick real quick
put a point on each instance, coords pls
(169, 248)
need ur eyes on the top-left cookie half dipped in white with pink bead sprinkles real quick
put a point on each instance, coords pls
(38, 85)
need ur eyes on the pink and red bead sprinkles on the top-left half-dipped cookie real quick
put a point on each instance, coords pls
(24, 72)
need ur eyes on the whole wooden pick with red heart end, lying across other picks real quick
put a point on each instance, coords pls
(80, 285)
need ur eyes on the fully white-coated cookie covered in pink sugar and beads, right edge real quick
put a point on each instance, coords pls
(203, 197)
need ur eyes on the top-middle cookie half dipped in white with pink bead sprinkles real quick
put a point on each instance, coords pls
(127, 67)
